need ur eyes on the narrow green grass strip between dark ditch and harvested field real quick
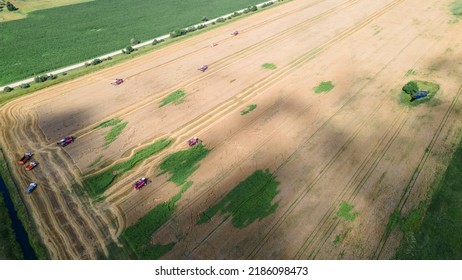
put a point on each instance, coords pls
(34, 239)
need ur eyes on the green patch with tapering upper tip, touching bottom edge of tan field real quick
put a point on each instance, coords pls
(139, 235)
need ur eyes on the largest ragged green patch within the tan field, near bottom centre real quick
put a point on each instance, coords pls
(250, 200)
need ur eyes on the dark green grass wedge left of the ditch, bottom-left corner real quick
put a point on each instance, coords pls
(9, 247)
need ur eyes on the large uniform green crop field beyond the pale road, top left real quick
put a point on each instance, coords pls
(53, 38)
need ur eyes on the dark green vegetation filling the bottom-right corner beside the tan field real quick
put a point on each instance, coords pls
(433, 230)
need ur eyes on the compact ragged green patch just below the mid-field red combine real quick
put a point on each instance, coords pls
(183, 163)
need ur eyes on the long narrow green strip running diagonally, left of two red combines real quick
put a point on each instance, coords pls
(98, 183)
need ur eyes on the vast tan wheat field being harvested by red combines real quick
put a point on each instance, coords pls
(313, 170)
